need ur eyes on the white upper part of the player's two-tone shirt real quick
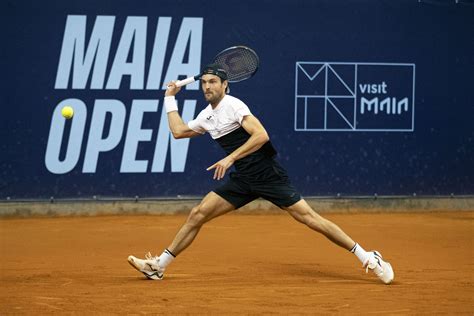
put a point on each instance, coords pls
(225, 118)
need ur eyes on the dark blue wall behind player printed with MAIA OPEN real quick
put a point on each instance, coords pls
(419, 54)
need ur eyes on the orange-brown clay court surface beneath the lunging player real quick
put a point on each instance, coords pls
(239, 264)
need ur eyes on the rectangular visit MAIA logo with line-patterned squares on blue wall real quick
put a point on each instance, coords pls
(351, 97)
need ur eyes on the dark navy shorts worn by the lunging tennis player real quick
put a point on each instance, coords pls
(271, 183)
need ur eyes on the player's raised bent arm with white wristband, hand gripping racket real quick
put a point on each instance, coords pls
(177, 127)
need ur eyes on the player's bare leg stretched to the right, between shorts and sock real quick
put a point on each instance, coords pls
(303, 213)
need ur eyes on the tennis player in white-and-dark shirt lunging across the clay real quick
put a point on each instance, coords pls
(257, 174)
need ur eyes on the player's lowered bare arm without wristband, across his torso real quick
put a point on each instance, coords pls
(258, 137)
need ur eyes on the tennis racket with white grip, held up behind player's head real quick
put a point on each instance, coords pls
(240, 63)
